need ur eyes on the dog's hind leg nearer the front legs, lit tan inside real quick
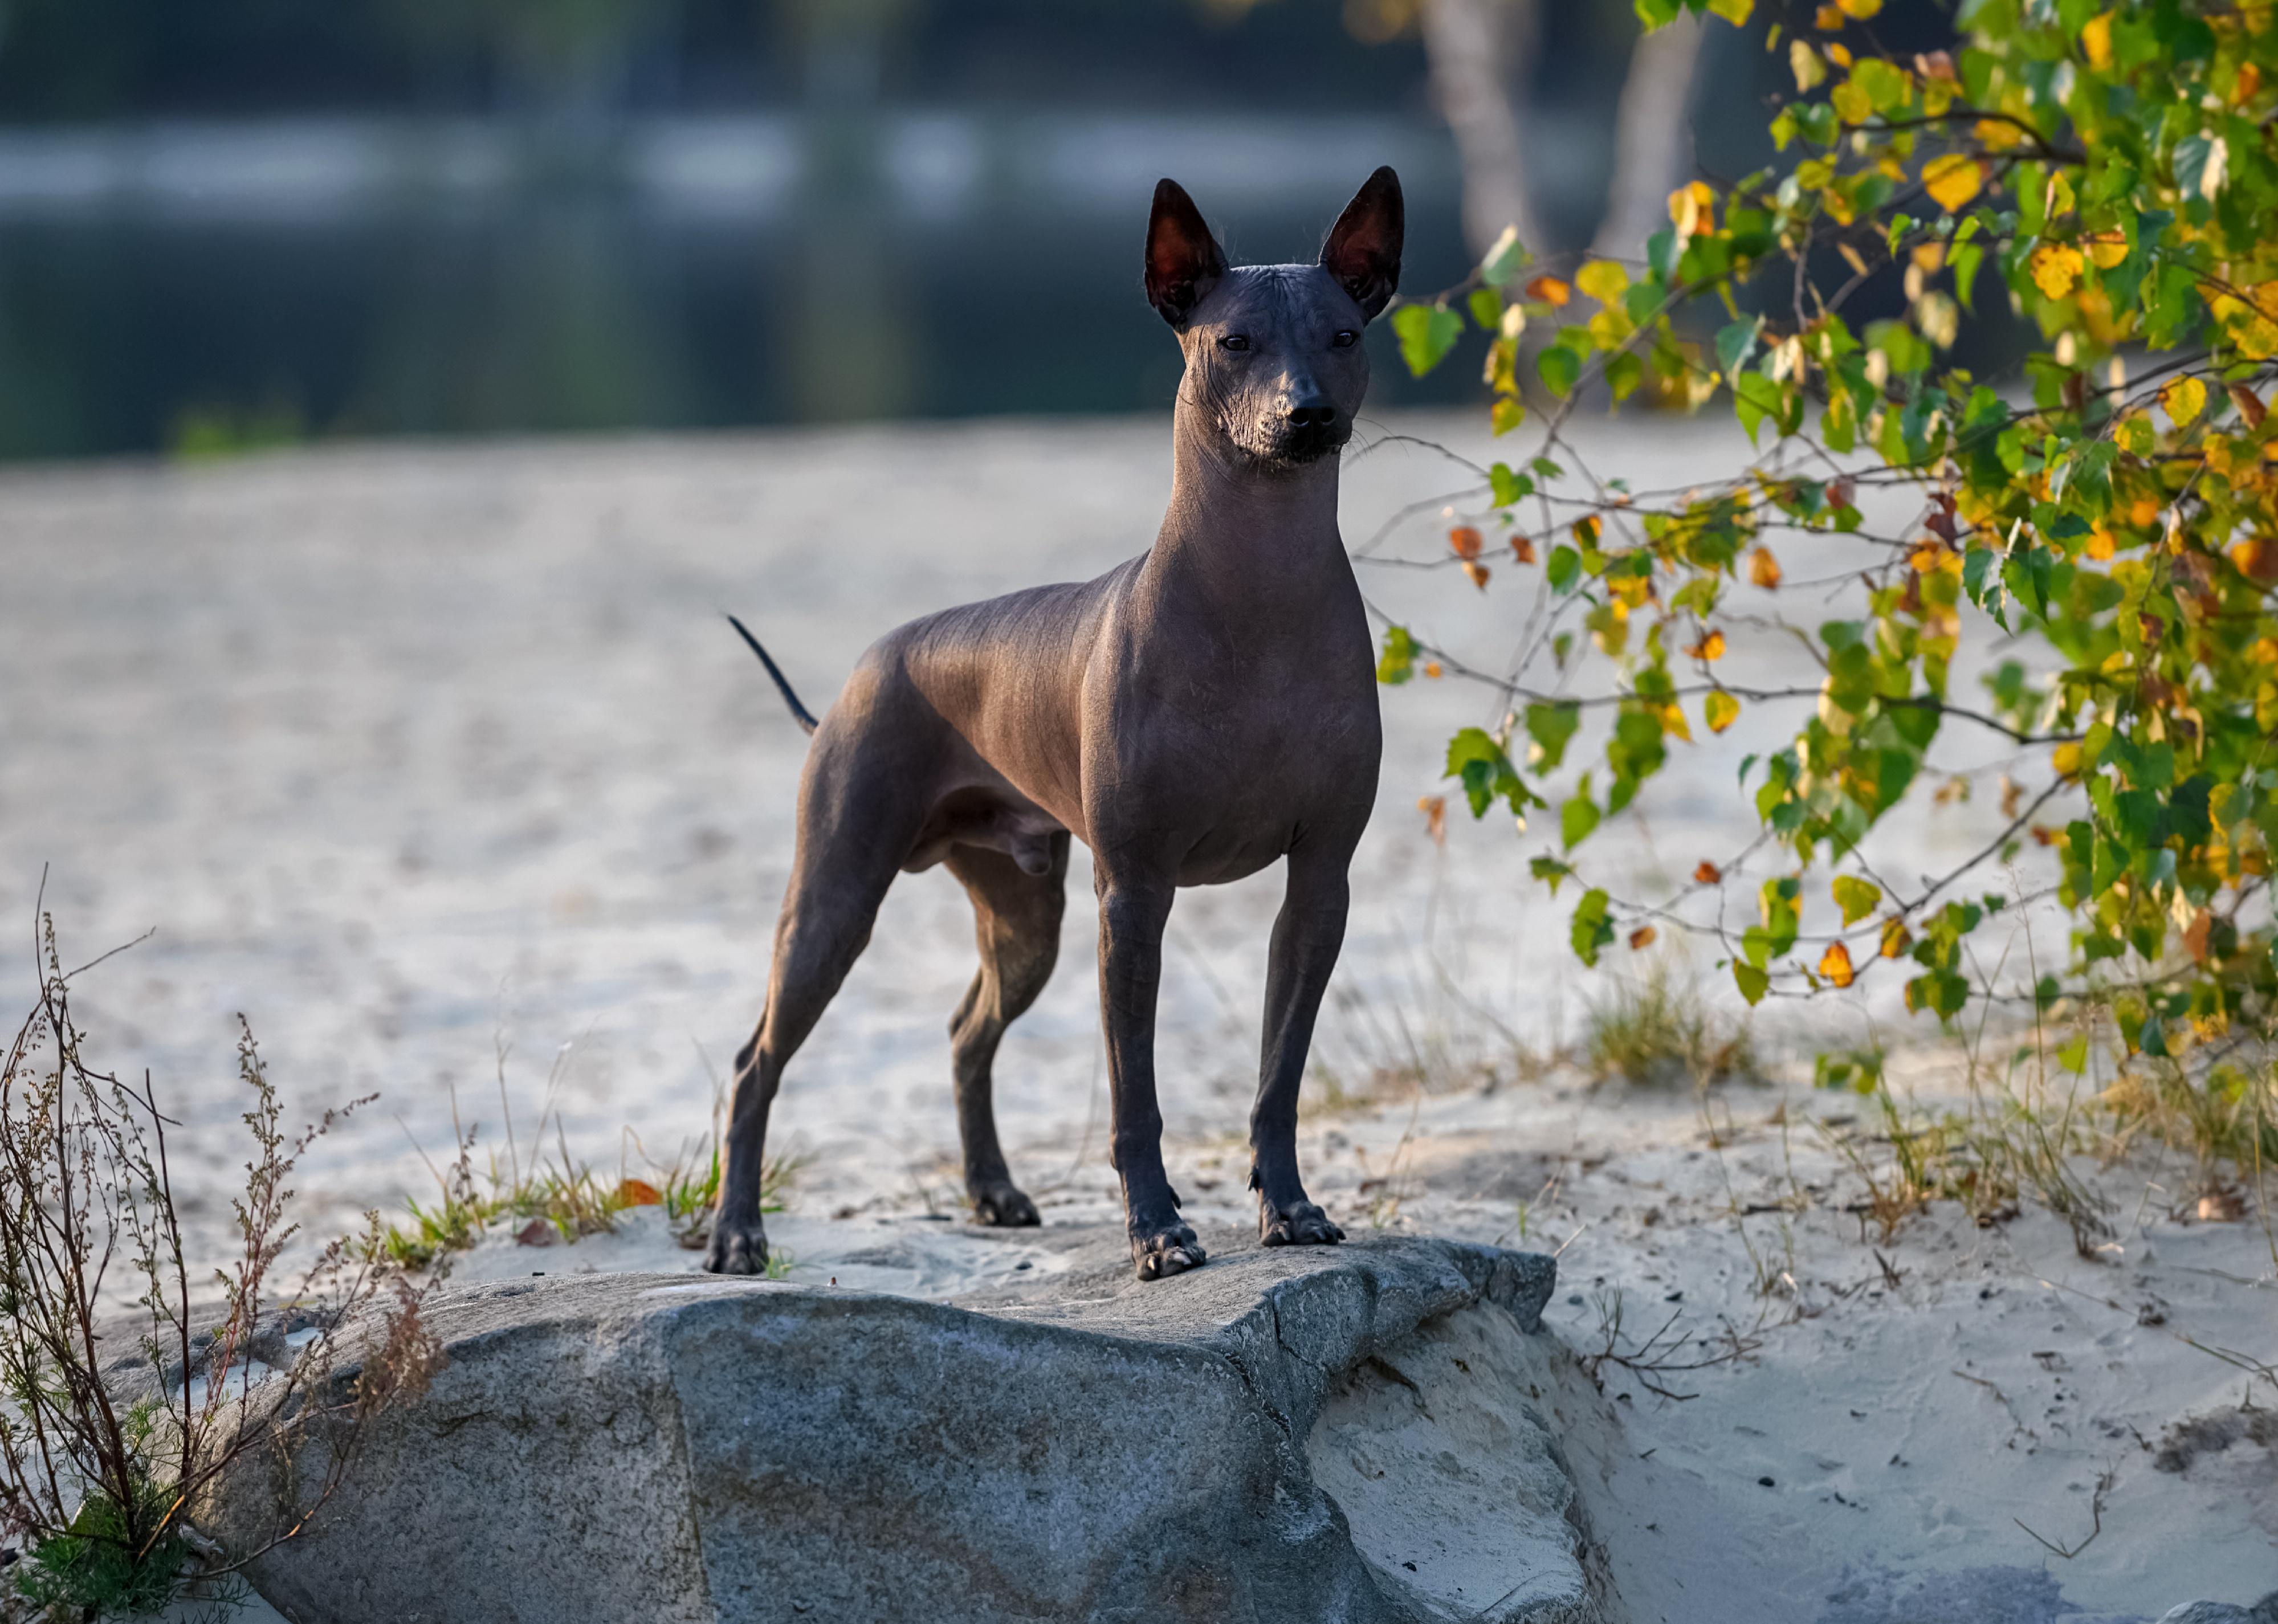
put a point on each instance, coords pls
(1017, 924)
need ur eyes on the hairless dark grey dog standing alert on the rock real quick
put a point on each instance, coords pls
(1193, 716)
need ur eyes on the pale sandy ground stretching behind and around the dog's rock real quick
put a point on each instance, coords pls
(423, 757)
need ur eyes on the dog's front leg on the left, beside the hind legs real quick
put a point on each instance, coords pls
(1133, 912)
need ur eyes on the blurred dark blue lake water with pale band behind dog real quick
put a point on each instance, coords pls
(208, 286)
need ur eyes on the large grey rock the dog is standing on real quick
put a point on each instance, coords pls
(1311, 1436)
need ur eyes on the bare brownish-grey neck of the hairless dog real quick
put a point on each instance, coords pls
(1247, 534)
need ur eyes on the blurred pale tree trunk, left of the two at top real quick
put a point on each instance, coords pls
(1480, 54)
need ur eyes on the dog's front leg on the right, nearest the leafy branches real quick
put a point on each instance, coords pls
(1306, 942)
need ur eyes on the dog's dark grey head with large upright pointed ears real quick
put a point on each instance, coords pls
(1275, 354)
